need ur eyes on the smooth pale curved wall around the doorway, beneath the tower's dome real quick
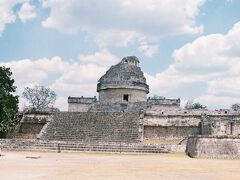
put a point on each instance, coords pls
(116, 95)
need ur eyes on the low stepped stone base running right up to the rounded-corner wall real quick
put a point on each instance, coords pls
(63, 146)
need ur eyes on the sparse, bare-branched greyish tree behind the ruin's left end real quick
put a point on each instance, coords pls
(39, 97)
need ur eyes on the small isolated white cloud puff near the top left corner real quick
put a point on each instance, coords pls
(26, 12)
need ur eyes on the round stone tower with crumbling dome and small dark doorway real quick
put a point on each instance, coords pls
(123, 82)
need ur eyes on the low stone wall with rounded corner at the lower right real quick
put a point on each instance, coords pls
(213, 146)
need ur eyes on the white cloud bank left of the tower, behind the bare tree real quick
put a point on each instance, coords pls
(66, 78)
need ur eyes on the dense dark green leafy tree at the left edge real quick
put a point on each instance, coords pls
(8, 101)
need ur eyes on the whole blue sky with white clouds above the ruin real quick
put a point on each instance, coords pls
(188, 49)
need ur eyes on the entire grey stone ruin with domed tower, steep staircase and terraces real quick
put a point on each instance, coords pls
(124, 114)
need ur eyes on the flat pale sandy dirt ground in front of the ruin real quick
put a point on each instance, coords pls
(61, 166)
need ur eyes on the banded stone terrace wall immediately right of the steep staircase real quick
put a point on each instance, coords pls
(170, 126)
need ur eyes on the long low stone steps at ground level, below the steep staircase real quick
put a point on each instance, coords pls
(68, 147)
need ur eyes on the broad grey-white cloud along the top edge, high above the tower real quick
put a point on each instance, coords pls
(120, 22)
